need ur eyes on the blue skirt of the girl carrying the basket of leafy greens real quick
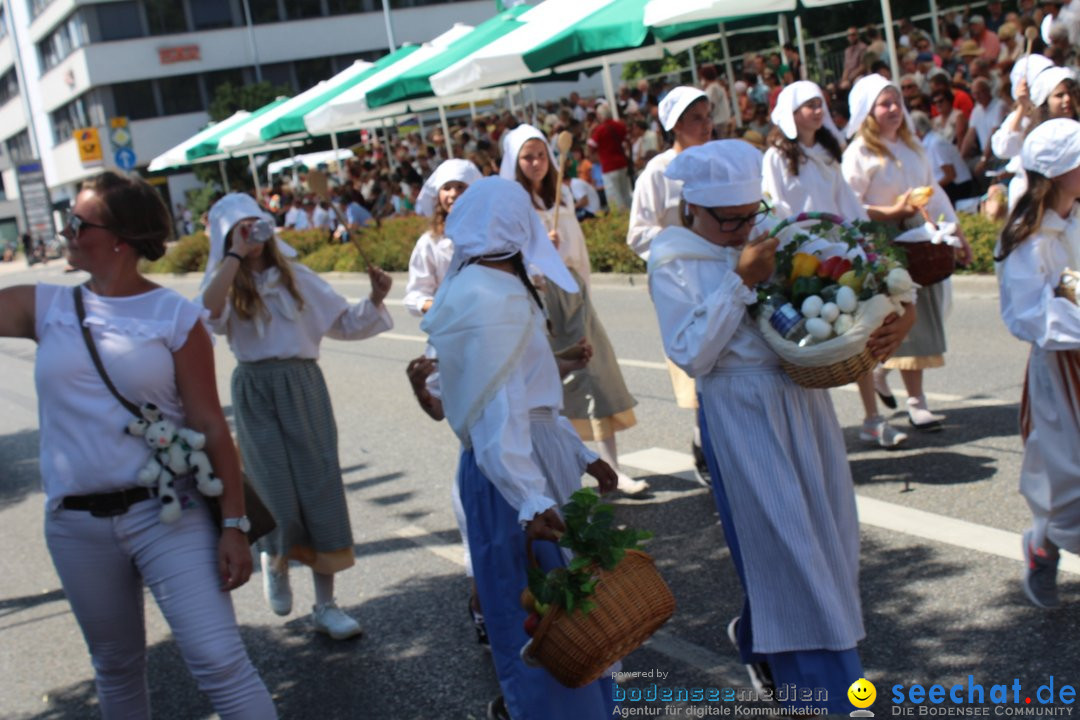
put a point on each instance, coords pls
(497, 545)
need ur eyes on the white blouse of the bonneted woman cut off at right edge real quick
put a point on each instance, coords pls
(1027, 282)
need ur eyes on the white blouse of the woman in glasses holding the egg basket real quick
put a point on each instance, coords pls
(704, 307)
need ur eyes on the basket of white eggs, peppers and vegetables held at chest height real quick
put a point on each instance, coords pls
(832, 289)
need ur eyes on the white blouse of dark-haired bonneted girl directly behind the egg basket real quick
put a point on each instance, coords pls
(820, 186)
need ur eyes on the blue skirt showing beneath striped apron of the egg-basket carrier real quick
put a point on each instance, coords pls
(833, 671)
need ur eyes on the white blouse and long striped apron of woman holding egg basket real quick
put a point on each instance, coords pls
(780, 450)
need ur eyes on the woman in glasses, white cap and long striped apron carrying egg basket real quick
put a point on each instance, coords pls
(780, 469)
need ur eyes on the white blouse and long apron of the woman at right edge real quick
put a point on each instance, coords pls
(1050, 419)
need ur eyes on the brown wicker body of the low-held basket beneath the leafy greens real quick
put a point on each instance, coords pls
(632, 603)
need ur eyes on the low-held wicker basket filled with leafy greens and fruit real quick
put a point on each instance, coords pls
(605, 604)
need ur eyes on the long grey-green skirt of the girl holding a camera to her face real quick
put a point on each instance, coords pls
(288, 437)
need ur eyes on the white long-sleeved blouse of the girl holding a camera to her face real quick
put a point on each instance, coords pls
(291, 332)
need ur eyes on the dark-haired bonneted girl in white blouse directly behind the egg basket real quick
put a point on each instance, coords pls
(802, 174)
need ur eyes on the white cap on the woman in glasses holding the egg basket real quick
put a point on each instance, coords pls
(719, 174)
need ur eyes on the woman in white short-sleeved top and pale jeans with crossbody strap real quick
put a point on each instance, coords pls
(103, 528)
